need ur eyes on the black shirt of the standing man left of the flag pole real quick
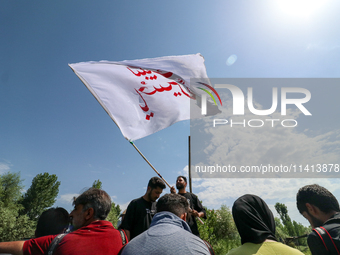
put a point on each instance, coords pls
(138, 216)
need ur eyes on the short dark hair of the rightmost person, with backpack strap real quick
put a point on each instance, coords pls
(317, 196)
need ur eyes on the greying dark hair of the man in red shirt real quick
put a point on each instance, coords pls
(97, 199)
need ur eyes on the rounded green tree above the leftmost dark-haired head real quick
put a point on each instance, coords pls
(41, 195)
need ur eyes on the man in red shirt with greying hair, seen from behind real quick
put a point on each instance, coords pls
(92, 234)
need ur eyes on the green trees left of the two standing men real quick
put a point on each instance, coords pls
(20, 211)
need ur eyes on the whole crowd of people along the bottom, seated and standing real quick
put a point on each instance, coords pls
(169, 227)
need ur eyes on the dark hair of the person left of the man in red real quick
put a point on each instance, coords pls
(53, 221)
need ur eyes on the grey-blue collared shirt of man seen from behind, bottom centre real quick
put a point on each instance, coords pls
(167, 235)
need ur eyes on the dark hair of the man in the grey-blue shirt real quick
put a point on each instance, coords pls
(173, 203)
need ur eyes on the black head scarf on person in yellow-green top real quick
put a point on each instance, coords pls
(254, 220)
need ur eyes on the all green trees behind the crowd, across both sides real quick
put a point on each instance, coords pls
(20, 211)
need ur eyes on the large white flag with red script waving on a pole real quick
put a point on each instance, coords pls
(143, 96)
